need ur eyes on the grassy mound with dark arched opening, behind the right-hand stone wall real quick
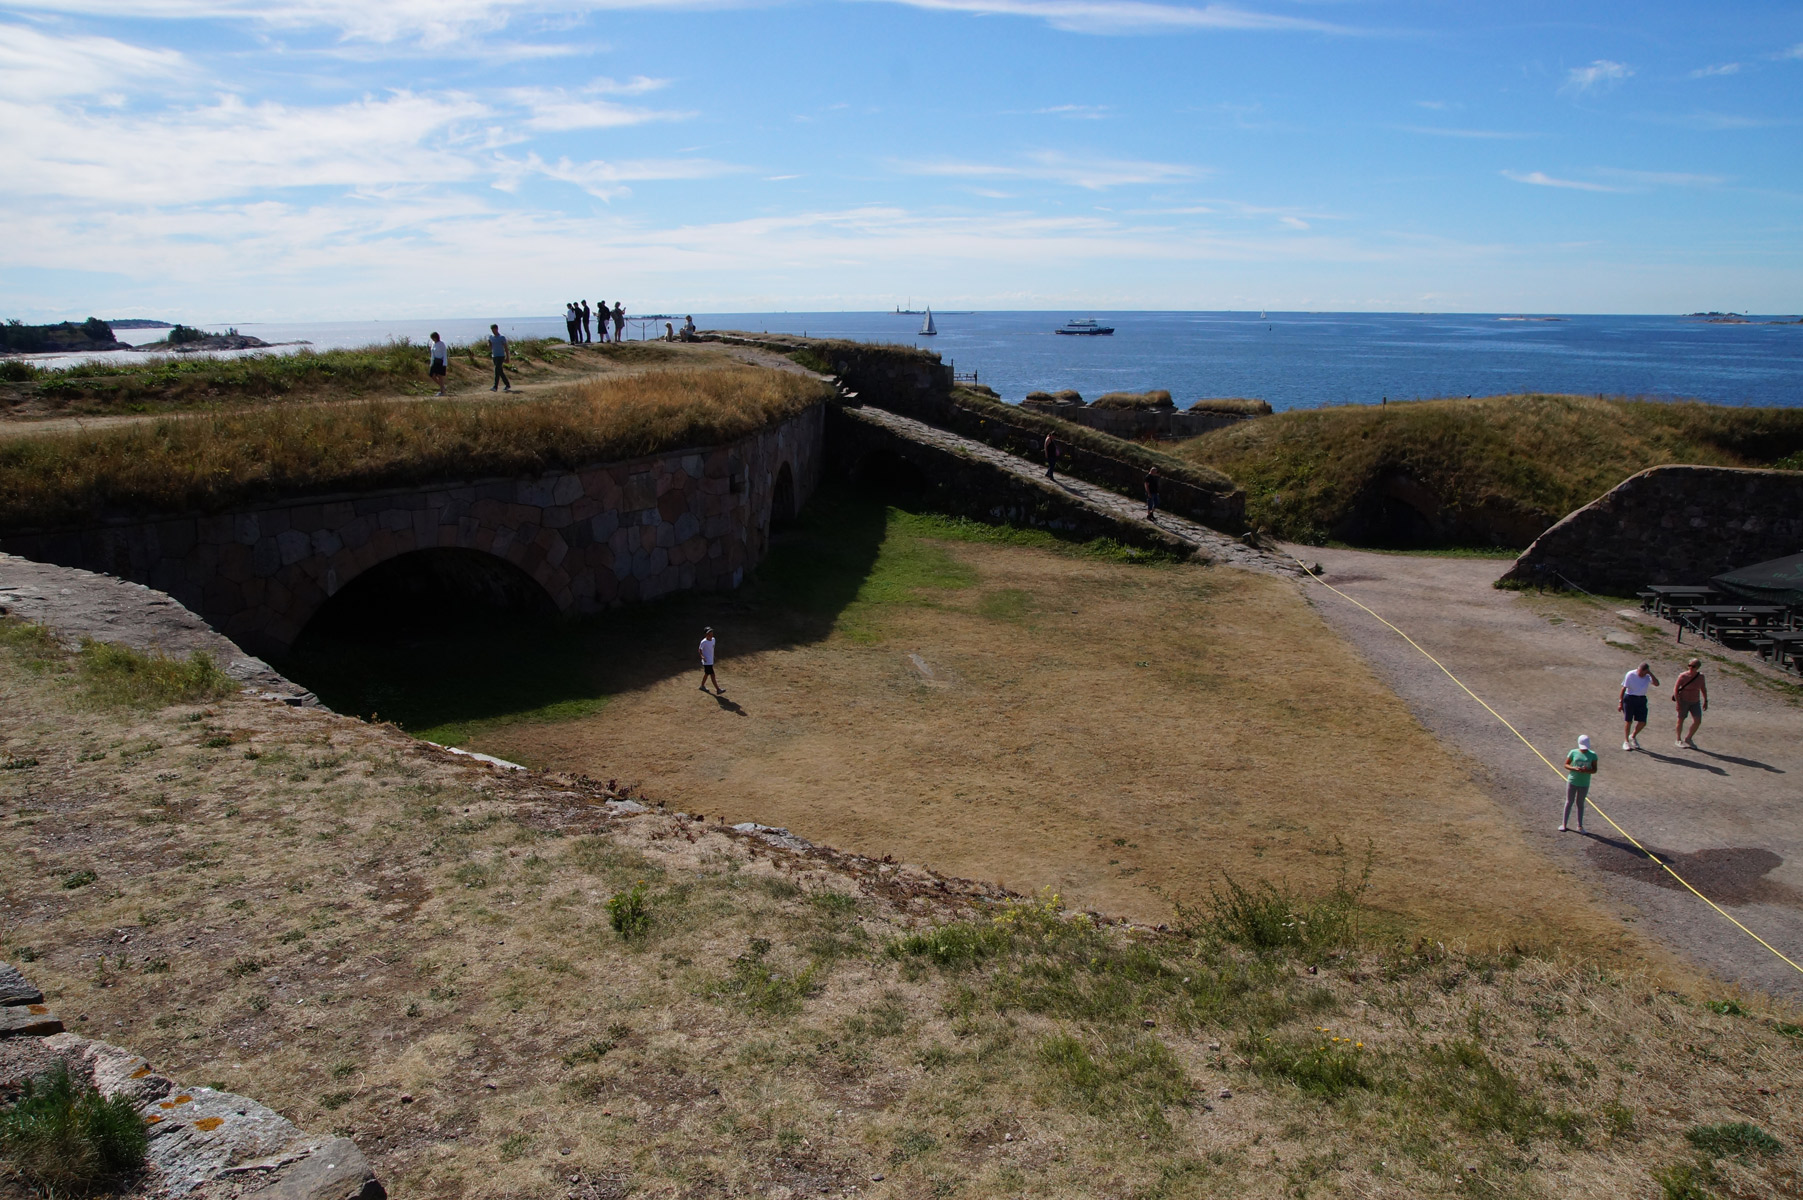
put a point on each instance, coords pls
(1472, 473)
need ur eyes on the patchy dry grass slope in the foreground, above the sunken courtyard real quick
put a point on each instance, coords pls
(331, 920)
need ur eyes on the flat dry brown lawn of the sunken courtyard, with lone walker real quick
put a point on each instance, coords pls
(1115, 732)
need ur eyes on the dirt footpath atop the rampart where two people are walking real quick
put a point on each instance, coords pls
(569, 367)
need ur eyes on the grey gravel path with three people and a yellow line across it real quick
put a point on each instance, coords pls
(1725, 815)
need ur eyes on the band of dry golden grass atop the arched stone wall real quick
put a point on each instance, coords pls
(215, 462)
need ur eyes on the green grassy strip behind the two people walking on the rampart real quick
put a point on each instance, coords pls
(170, 383)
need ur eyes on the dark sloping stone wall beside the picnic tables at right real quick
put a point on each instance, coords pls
(1670, 525)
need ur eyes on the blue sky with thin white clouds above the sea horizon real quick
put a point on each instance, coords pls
(324, 159)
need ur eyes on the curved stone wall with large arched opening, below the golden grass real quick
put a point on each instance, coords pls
(594, 538)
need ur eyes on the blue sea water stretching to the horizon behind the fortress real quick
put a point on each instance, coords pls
(1288, 359)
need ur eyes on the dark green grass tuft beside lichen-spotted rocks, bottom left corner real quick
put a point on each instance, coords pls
(68, 1141)
